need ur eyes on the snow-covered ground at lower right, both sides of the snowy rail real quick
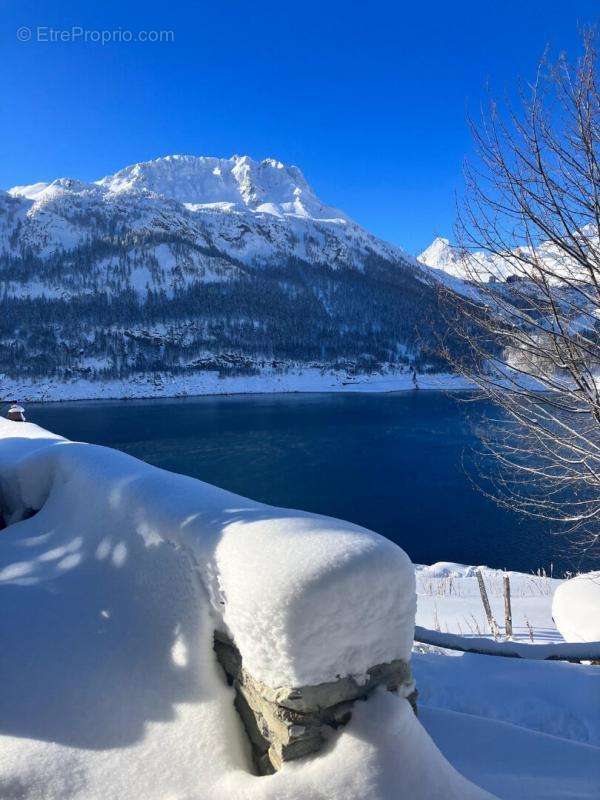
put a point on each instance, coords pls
(520, 728)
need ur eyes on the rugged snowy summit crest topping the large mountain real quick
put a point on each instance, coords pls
(266, 186)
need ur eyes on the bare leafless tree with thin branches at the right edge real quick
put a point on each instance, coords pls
(529, 243)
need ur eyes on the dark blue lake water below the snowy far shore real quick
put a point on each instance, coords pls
(391, 462)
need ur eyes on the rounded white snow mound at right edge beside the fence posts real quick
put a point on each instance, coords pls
(576, 608)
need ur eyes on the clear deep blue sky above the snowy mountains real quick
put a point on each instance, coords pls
(368, 98)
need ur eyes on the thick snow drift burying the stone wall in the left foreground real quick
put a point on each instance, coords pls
(115, 574)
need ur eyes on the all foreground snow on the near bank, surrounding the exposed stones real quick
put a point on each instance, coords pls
(112, 590)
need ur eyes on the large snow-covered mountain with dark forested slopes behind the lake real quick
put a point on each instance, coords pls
(188, 263)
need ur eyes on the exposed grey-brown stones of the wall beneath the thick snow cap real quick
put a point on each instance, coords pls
(287, 723)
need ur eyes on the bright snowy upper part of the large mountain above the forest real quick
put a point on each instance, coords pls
(185, 194)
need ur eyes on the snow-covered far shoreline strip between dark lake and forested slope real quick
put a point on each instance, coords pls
(209, 383)
